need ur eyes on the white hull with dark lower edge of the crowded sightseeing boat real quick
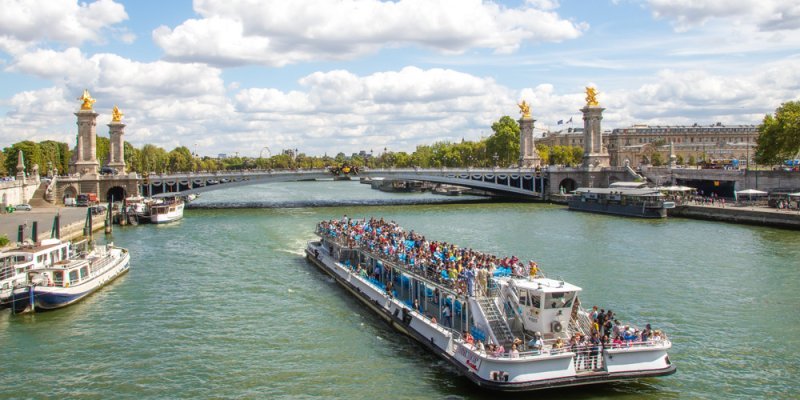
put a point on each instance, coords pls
(549, 372)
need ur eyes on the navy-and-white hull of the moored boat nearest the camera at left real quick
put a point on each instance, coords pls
(46, 298)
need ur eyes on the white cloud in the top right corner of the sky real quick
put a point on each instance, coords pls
(763, 15)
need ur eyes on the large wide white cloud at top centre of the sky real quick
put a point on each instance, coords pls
(278, 33)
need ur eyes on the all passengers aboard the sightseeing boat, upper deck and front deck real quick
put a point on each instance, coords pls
(462, 268)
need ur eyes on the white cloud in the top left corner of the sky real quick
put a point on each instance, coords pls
(27, 22)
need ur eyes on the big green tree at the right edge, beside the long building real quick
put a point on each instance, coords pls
(779, 135)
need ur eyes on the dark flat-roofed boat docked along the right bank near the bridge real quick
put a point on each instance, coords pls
(632, 202)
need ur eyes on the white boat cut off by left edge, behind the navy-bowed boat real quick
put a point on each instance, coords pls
(15, 264)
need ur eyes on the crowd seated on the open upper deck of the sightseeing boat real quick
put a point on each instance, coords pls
(462, 269)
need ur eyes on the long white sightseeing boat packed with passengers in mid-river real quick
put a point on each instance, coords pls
(504, 331)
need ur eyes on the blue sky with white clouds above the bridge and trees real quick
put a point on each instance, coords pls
(255, 77)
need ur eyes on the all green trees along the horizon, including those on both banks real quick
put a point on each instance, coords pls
(779, 139)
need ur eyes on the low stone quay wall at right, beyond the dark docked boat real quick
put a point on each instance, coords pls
(786, 219)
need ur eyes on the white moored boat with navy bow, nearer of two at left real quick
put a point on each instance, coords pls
(67, 281)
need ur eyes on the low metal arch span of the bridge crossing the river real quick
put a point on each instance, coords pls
(518, 183)
